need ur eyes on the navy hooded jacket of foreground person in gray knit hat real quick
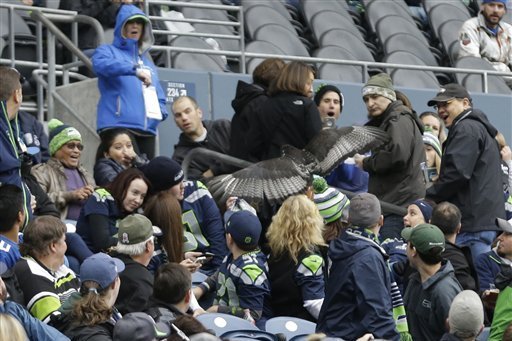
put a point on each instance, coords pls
(358, 291)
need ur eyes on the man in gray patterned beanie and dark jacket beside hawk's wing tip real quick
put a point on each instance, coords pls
(395, 169)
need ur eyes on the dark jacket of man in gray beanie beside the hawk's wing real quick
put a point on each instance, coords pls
(395, 170)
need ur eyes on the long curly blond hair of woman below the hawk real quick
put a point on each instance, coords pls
(296, 227)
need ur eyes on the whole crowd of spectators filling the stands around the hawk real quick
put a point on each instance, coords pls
(135, 237)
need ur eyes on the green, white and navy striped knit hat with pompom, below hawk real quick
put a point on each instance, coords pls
(331, 203)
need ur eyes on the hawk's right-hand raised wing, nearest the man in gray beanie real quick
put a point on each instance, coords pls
(331, 146)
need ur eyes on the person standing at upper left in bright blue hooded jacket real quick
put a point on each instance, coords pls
(124, 72)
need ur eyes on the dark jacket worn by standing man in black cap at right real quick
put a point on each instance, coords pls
(470, 176)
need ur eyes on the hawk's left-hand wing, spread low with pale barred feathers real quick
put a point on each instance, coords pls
(274, 179)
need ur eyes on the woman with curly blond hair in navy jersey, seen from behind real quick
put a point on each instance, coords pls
(296, 260)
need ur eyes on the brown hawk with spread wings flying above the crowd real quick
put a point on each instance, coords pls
(276, 179)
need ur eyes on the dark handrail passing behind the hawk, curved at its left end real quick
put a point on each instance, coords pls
(203, 152)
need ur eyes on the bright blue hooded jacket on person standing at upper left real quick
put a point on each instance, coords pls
(121, 103)
